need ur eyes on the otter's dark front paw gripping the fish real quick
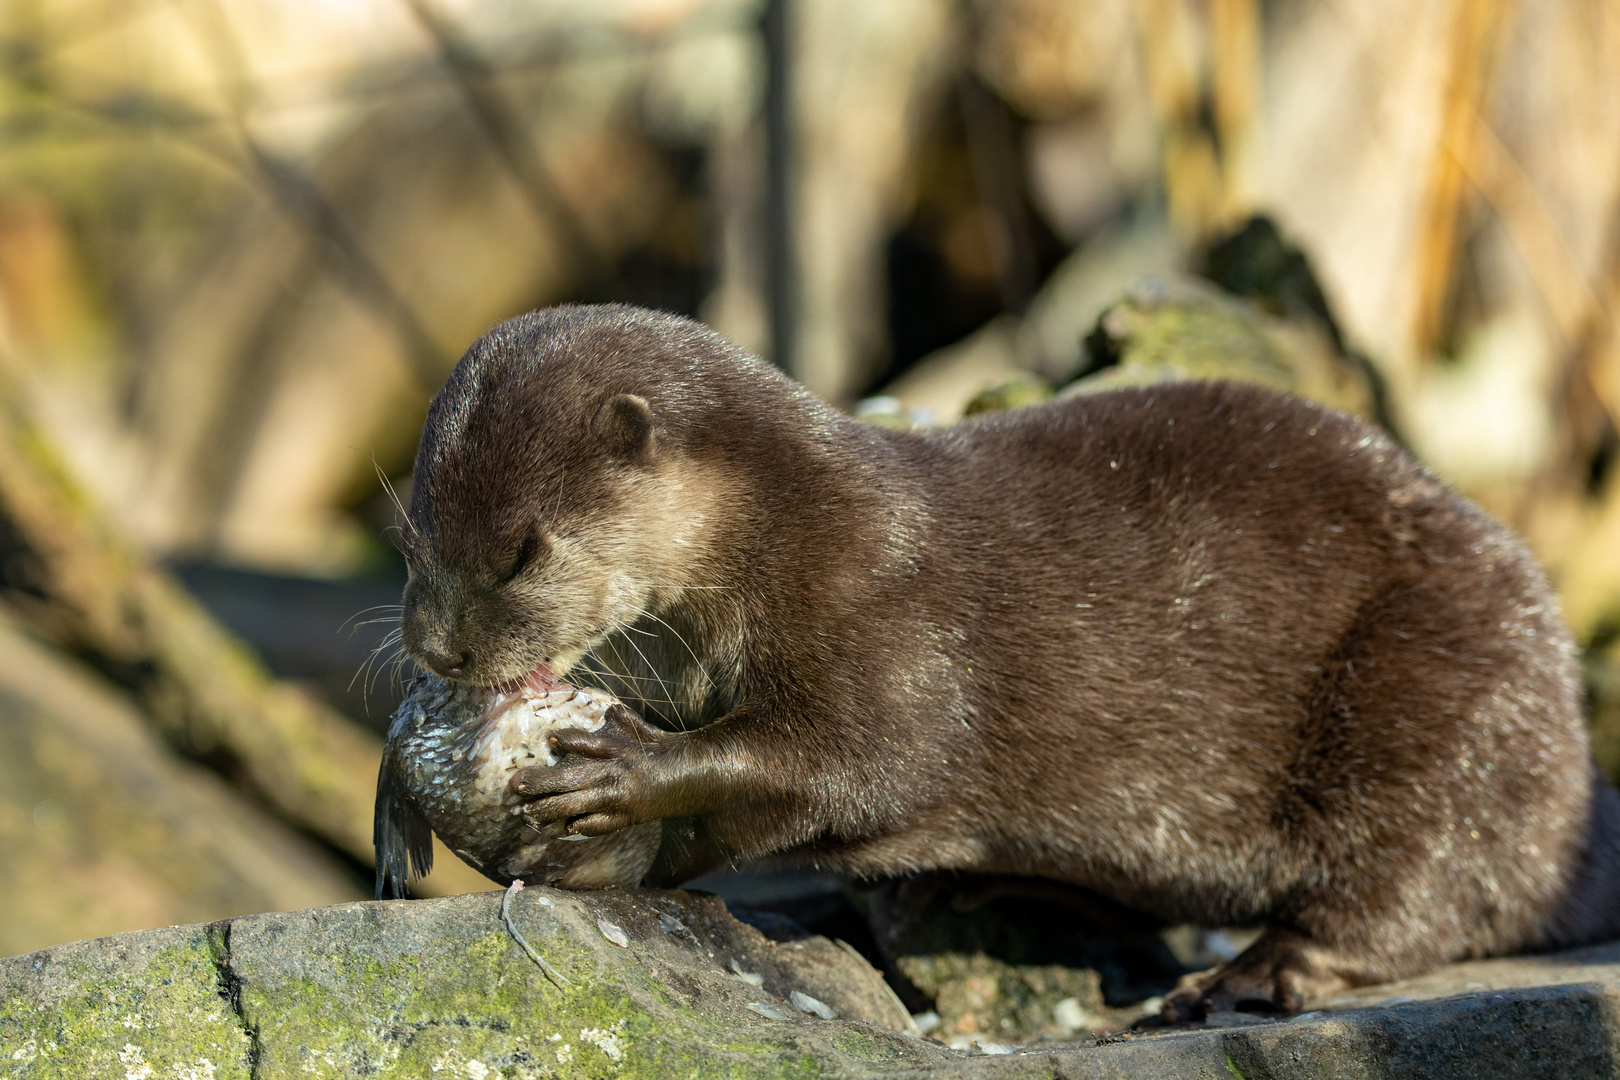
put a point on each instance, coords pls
(603, 780)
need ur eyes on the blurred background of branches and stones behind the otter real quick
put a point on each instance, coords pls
(242, 242)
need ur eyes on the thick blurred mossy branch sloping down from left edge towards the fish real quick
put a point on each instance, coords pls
(80, 587)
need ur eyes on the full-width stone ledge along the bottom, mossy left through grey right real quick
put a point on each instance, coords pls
(416, 989)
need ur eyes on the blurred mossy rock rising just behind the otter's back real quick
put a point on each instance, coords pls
(1166, 326)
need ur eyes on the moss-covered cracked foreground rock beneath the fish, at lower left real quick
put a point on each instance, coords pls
(417, 989)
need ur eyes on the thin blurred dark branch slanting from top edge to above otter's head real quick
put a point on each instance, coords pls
(477, 82)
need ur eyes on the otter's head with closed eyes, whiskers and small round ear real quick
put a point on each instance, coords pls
(556, 493)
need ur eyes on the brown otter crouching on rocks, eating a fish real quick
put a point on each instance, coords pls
(1214, 653)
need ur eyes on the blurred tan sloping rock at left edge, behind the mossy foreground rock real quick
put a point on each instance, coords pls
(104, 830)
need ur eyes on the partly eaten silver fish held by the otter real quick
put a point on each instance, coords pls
(448, 768)
